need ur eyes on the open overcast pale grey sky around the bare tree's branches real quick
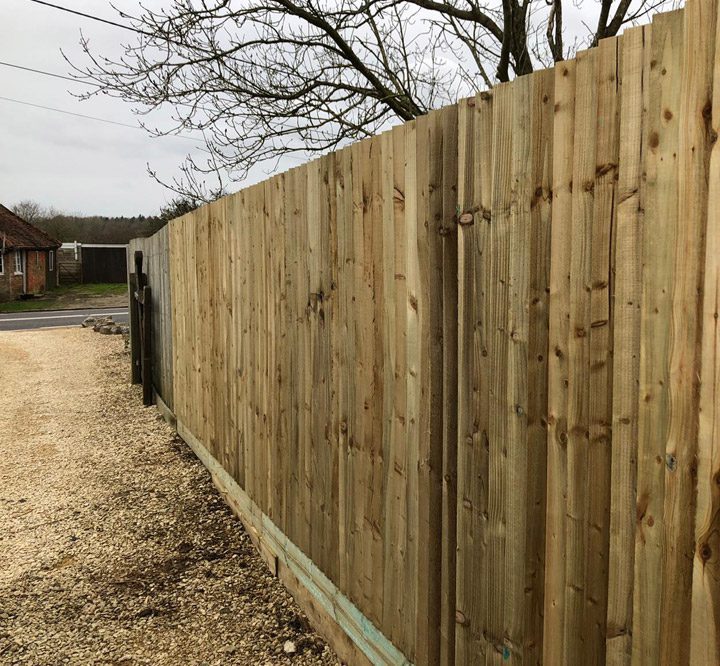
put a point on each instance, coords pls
(78, 165)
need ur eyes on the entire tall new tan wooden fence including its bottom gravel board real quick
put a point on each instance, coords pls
(461, 380)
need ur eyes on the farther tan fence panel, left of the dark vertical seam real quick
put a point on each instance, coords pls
(309, 359)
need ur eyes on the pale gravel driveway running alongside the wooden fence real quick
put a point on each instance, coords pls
(115, 547)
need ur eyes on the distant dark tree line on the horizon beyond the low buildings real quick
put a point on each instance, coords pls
(98, 228)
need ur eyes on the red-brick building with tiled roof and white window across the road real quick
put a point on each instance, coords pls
(27, 257)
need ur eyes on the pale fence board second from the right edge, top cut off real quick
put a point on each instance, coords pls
(698, 55)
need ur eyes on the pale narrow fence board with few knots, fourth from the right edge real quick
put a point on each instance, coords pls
(627, 290)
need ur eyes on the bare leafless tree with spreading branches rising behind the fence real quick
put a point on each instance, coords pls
(261, 79)
